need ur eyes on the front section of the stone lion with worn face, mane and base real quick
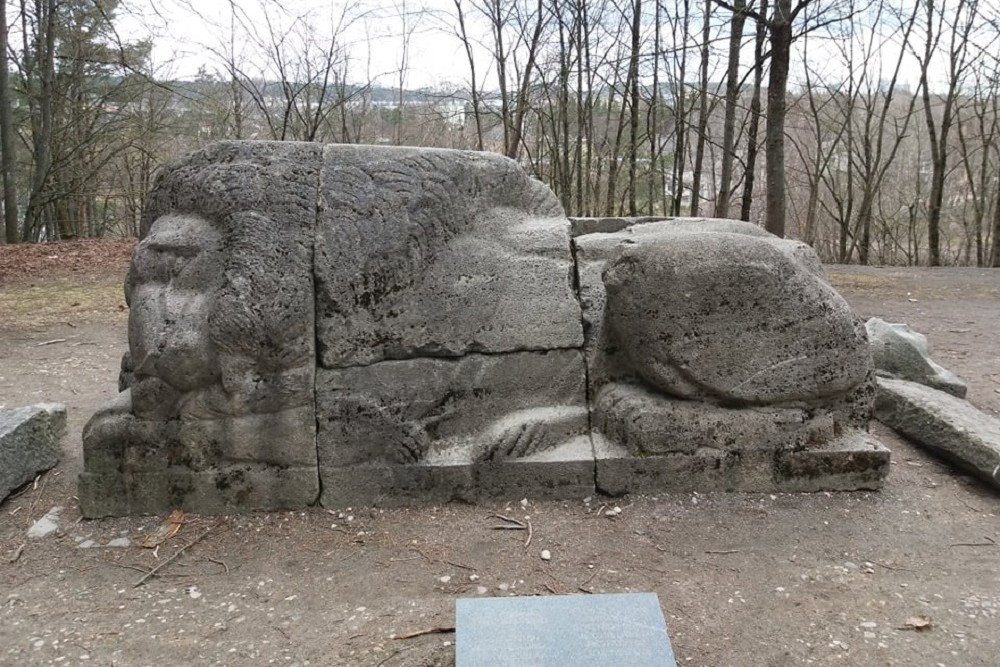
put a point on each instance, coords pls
(217, 414)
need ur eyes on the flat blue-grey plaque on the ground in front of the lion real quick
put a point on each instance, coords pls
(619, 630)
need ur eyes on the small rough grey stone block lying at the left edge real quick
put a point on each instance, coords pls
(29, 443)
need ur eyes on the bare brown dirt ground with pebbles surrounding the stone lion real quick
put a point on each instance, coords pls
(744, 580)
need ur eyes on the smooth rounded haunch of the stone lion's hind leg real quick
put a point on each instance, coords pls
(678, 304)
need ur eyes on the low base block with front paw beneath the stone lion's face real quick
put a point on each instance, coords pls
(210, 466)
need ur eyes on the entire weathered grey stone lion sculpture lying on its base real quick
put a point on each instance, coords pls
(359, 324)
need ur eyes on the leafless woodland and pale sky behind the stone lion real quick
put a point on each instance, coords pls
(868, 129)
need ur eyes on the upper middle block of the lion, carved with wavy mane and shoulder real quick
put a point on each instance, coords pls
(434, 253)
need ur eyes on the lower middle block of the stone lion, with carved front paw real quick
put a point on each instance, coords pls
(436, 413)
